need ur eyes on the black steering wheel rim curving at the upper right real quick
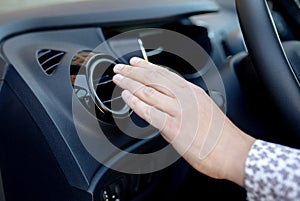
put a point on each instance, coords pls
(270, 60)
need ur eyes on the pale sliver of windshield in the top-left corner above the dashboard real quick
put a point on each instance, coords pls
(15, 5)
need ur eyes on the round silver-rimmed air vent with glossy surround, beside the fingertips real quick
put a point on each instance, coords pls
(91, 76)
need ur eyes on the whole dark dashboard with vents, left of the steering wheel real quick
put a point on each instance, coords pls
(67, 134)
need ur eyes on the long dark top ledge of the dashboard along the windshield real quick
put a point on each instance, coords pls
(96, 13)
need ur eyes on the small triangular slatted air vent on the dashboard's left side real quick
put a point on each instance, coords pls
(49, 59)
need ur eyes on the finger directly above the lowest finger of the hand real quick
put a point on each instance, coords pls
(148, 94)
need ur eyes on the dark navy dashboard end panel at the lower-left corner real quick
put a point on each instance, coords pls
(29, 169)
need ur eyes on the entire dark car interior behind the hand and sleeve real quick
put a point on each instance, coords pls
(67, 135)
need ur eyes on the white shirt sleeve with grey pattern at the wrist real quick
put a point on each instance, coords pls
(272, 172)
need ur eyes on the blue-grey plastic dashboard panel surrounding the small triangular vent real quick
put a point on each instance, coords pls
(52, 108)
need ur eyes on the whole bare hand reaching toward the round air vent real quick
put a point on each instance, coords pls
(186, 117)
